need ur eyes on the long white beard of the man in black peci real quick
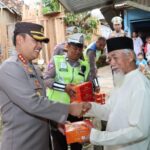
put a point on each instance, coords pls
(118, 78)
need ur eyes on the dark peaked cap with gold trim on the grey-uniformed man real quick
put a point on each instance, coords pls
(36, 31)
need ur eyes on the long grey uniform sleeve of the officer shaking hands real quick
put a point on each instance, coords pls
(19, 90)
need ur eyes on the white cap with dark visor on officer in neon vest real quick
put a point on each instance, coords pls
(77, 39)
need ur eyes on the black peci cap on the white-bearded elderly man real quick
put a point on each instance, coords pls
(119, 43)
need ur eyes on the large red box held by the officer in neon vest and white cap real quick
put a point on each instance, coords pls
(84, 92)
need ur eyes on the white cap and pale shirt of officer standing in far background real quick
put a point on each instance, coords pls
(121, 33)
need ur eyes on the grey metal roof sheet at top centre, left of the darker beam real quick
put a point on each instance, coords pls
(83, 5)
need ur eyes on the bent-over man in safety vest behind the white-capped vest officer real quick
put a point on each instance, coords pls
(92, 54)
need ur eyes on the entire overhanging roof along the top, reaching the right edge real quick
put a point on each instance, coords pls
(84, 5)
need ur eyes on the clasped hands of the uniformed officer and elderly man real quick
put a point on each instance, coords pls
(79, 109)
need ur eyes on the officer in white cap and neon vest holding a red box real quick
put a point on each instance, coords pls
(63, 72)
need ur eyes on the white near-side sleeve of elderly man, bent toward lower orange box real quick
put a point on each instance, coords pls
(138, 120)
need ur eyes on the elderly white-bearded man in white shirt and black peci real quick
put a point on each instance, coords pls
(127, 109)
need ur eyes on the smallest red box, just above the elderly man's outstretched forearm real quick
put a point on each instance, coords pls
(100, 98)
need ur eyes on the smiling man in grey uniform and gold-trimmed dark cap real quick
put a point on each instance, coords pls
(25, 109)
